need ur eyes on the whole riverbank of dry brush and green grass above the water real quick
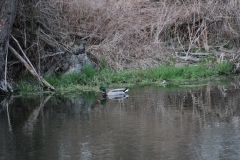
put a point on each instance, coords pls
(124, 34)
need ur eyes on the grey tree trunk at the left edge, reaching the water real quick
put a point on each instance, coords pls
(8, 10)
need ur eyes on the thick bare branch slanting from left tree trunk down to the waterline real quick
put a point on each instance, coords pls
(31, 70)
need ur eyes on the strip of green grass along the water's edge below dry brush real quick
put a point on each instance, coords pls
(91, 78)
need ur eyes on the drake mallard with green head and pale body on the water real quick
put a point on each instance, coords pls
(114, 92)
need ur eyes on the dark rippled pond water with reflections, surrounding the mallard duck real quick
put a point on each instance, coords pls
(152, 123)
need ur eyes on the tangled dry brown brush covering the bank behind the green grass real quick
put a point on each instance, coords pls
(127, 33)
